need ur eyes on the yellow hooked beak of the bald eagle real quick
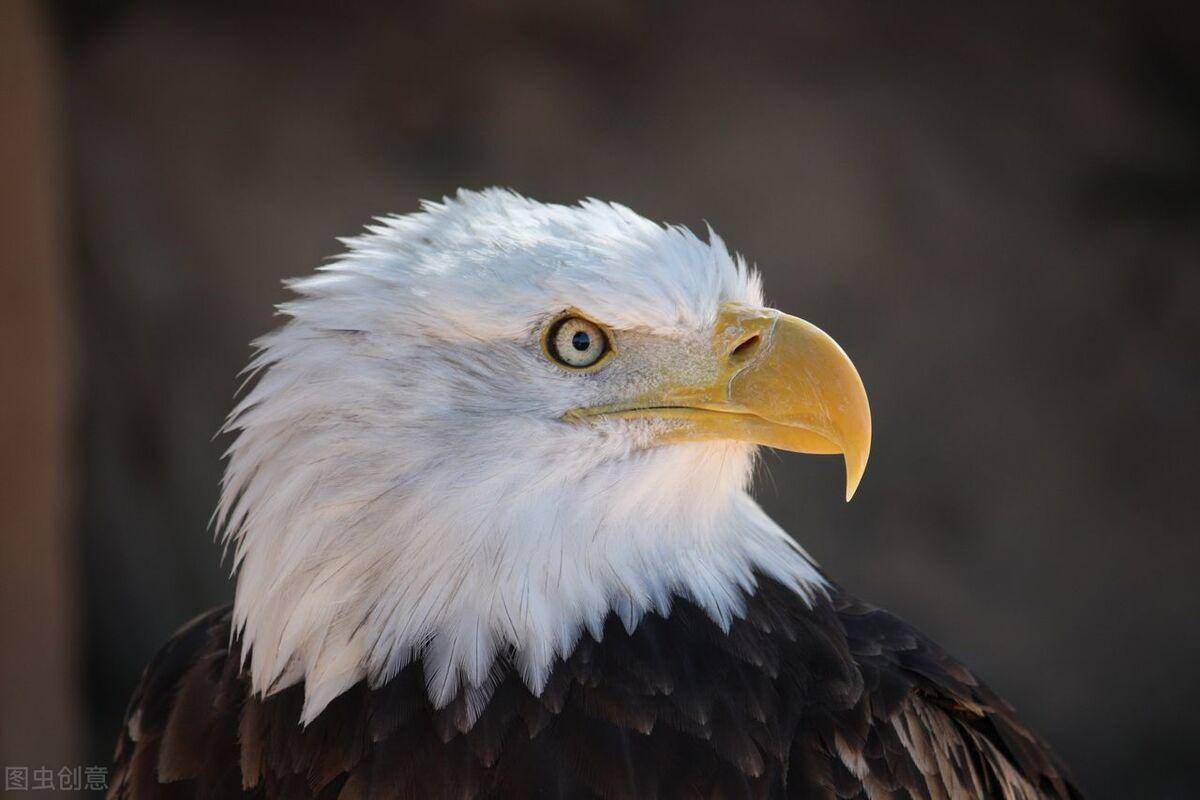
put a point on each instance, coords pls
(781, 382)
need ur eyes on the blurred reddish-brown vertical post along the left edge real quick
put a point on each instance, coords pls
(39, 675)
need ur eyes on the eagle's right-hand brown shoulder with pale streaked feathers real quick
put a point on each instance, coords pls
(928, 726)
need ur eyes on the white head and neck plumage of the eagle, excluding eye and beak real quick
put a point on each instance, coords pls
(403, 486)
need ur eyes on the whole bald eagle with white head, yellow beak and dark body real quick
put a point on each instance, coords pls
(488, 508)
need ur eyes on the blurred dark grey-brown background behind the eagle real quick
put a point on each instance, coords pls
(995, 208)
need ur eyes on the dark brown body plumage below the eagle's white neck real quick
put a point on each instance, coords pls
(837, 701)
